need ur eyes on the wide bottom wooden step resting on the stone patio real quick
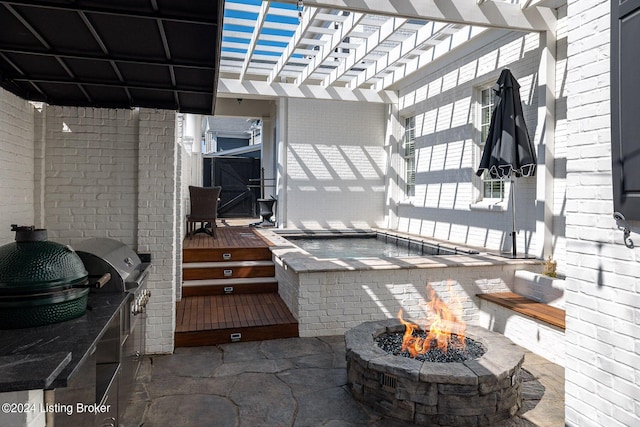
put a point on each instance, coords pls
(218, 319)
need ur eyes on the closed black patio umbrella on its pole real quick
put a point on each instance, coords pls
(508, 151)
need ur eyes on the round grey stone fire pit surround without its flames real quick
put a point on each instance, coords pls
(476, 392)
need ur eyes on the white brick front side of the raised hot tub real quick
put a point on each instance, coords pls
(341, 302)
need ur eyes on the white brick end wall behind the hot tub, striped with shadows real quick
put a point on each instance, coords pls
(335, 164)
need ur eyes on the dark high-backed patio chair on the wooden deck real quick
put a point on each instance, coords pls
(204, 209)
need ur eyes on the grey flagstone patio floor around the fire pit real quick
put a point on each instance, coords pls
(290, 382)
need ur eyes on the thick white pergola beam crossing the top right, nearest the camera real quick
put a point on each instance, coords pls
(468, 12)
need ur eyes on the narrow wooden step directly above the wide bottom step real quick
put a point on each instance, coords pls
(229, 286)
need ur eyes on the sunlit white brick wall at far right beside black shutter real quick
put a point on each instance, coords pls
(603, 289)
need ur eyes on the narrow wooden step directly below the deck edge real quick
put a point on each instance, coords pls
(227, 270)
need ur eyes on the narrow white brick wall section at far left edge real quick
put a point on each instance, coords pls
(16, 164)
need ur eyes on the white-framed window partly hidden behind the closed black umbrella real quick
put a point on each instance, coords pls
(491, 193)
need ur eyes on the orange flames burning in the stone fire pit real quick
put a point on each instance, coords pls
(443, 322)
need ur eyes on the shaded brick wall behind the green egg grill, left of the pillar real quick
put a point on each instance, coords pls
(90, 174)
